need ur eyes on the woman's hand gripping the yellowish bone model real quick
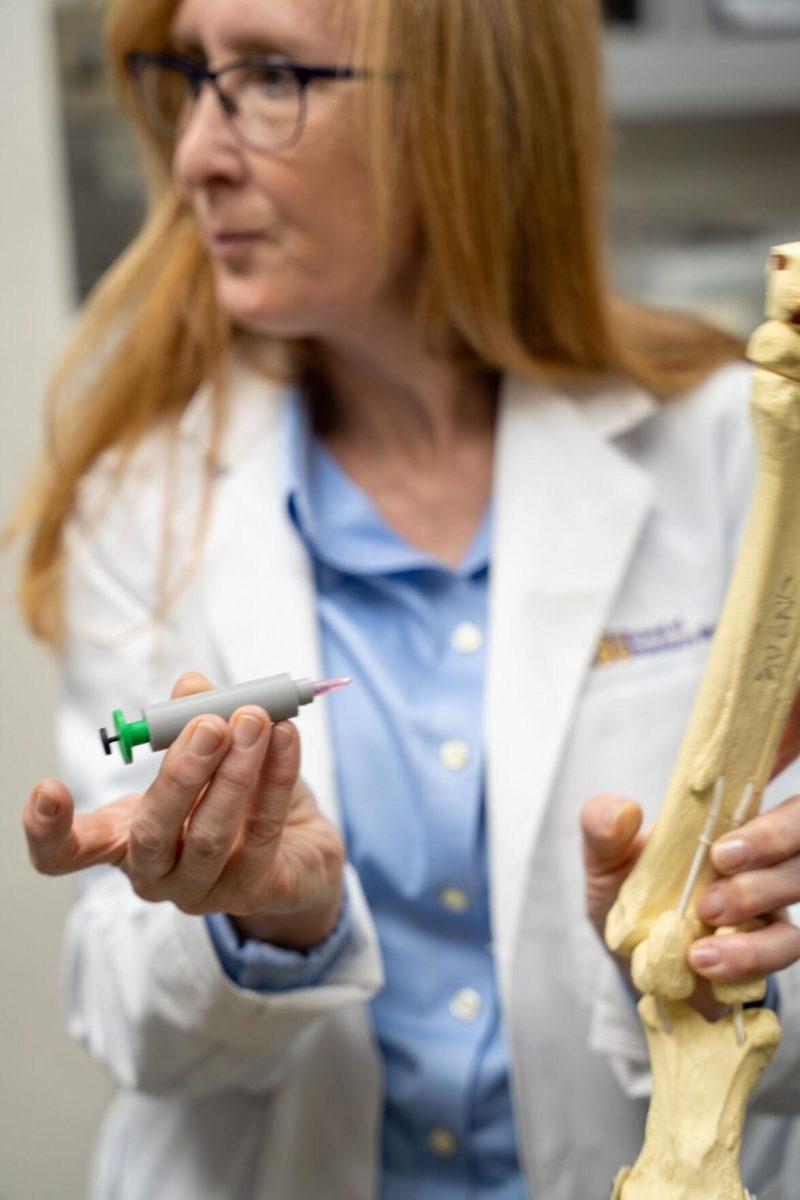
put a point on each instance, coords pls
(761, 869)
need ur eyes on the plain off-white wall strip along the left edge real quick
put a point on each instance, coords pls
(51, 1095)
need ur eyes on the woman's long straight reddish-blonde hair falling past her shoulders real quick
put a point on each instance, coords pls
(504, 127)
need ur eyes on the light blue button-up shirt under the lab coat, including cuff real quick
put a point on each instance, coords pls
(408, 747)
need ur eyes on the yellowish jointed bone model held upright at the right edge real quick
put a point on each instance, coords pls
(703, 1073)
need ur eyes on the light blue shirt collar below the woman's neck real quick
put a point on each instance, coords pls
(339, 523)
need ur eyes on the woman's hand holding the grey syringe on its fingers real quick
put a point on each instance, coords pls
(227, 826)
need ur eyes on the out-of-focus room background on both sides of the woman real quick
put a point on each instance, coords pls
(707, 176)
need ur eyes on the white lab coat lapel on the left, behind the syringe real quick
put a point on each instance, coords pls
(258, 592)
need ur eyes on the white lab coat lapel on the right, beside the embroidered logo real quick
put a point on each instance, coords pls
(569, 509)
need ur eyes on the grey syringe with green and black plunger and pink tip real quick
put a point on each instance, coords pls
(281, 697)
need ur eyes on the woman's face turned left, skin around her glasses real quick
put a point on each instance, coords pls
(308, 269)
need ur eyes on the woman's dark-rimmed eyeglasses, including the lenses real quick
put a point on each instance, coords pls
(263, 99)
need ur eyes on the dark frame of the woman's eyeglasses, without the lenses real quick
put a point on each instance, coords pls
(197, 74)
